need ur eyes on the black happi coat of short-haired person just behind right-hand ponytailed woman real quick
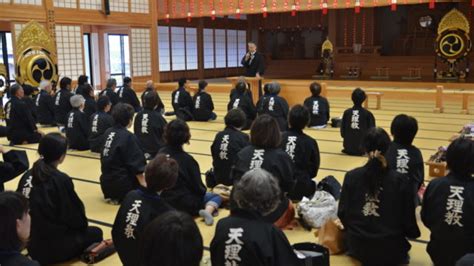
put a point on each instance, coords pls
(416, 167)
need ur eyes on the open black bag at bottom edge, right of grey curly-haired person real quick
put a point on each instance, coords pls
(312, 254)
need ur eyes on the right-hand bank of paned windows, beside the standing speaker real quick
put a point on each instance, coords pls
(223, 48)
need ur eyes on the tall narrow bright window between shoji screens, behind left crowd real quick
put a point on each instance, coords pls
(119, 57)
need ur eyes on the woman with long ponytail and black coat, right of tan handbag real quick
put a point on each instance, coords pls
(377, 208)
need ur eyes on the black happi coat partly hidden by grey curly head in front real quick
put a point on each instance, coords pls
(275, 161)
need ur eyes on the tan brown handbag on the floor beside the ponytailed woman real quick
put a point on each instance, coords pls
(331, 236)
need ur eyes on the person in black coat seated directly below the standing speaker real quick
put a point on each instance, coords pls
(244, 103)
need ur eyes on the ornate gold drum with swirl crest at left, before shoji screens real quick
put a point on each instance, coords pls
(35, 55)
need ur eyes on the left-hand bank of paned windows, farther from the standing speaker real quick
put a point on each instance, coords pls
(177, 48)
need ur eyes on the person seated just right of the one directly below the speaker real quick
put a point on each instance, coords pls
(276, 106)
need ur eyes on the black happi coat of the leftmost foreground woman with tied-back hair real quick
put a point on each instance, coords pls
(58, 218)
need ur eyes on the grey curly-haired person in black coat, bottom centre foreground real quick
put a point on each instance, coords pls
(259, 243)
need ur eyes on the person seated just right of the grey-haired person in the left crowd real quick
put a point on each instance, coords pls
(100, 122)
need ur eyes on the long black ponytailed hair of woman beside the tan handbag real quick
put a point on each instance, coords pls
(376, 139)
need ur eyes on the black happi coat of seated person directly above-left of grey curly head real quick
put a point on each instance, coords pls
(222, 161)
